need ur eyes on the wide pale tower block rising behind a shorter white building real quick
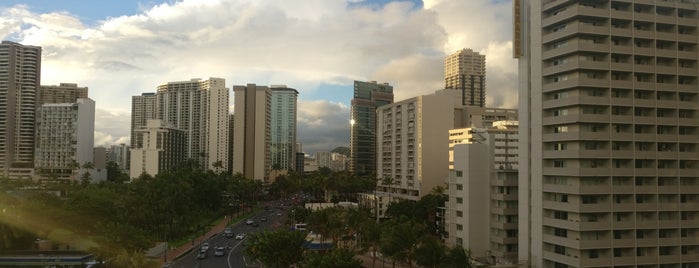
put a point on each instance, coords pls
(200, 108)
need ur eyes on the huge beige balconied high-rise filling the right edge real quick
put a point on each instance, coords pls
(609, 116)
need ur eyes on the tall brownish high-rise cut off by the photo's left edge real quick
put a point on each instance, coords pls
(20, 75)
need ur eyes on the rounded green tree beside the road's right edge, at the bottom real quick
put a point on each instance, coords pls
(279, 248)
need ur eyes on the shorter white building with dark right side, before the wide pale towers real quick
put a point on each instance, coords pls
(159, 147)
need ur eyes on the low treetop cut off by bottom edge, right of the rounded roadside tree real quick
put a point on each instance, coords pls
(336, 258)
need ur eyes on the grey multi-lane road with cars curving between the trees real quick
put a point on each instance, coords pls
(233, 256)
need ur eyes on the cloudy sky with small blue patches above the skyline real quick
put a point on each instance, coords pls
(122, 48)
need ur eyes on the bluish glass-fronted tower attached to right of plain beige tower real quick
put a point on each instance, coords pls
(283, 128)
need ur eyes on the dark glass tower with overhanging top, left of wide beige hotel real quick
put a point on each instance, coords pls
(367, 97)
